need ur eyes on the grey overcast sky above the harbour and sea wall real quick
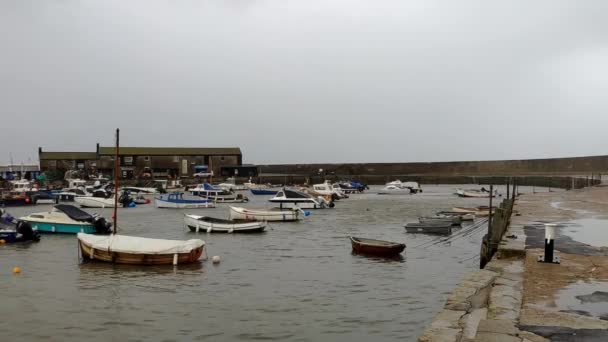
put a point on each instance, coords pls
(307, 80)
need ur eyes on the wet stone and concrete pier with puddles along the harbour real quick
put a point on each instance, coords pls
(516, 298)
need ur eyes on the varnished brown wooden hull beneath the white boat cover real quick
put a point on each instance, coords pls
(90, 253)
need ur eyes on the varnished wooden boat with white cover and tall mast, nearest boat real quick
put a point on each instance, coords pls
(122, 249)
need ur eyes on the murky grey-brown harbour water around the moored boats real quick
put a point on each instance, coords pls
(297, 281)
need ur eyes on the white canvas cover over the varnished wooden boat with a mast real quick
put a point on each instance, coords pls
(139, 245)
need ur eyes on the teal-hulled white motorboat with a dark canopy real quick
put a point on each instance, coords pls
(68, 219)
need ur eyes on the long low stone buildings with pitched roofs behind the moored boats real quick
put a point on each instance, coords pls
(143, 162)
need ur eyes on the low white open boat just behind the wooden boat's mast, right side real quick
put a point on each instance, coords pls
(208, 224)
